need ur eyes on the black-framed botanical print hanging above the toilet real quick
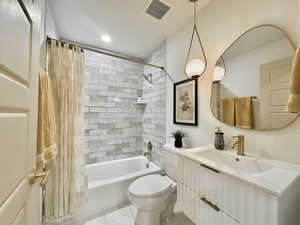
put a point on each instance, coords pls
(185, 107)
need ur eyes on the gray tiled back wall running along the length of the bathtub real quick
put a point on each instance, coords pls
(113, 126)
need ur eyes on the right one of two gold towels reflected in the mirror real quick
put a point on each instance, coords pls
(244, 112)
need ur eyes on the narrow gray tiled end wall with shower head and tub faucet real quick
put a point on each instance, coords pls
(154, 126)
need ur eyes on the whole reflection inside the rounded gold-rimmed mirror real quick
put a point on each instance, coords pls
(251, 80)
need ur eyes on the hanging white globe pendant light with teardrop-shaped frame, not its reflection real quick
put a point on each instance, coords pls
(195, 67)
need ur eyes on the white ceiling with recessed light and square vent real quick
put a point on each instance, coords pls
(133, 32)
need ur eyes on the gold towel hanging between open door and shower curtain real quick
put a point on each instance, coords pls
(46, 138)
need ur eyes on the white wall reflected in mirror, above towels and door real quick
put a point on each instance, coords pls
(243, 71)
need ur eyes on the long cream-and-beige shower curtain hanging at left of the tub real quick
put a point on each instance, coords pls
(66, 189)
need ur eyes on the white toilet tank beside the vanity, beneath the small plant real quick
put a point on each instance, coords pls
(170, 161)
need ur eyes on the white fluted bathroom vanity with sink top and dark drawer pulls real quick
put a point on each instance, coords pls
(222, 188)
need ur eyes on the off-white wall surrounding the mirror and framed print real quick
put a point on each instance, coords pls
(220, 23)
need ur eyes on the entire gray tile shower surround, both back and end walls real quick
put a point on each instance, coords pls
(114, 128)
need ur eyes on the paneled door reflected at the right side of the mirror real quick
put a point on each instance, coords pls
(275, 77)
